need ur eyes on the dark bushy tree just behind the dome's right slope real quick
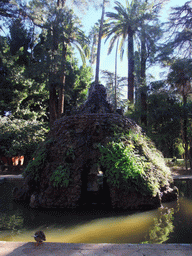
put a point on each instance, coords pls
(164, 118)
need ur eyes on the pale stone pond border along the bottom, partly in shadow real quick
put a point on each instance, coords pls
(48, 249)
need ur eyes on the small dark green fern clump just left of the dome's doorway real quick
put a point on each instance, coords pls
(61, 176)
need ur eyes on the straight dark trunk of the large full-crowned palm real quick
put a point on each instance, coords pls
(130, 67)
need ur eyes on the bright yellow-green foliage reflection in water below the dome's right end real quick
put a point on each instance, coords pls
(162, 227)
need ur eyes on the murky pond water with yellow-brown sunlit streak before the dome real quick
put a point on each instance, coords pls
(171, 223)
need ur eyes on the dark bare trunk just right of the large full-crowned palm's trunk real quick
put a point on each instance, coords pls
(143, 81)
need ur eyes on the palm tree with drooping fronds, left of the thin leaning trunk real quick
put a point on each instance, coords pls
(66, 32)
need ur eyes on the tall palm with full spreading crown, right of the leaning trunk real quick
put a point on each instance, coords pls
(123, 24)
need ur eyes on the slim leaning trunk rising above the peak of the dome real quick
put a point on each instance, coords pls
(99, 44)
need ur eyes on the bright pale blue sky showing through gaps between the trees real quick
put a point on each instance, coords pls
(107, 61)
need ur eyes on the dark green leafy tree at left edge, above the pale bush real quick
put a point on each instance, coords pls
(20, 95)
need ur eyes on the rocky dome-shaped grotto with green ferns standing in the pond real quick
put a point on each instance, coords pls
(96, 156)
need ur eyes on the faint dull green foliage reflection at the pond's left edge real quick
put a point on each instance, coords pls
(11, 222)
